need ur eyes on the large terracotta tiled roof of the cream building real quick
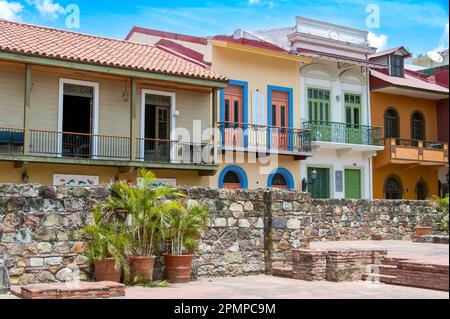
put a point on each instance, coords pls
(76, 47)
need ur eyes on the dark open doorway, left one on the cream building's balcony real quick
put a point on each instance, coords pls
(77, 120)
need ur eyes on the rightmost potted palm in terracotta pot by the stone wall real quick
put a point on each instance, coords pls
(184, 233)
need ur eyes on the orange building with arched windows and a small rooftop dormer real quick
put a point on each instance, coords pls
(406, 104)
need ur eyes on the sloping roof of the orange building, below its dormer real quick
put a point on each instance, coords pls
(409, 81)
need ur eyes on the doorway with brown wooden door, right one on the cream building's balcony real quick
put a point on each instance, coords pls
(156, 127)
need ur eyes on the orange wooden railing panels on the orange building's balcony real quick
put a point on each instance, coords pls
(415, 150)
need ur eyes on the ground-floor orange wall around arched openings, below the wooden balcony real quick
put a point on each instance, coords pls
(408, 178)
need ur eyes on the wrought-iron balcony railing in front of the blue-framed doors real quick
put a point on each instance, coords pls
(263, 138)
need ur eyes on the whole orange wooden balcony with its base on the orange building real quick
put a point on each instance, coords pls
(413, 152)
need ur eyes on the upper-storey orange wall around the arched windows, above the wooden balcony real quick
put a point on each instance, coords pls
(405, 106)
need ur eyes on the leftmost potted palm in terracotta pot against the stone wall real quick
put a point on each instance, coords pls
(107, 246)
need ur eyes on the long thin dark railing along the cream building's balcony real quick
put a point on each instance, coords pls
(102, 147)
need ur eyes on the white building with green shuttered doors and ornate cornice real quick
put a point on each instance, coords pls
(334, 105)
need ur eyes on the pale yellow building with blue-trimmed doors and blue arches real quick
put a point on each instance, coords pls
(261, 140)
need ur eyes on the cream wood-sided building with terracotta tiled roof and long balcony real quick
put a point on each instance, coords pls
(77, 109)
